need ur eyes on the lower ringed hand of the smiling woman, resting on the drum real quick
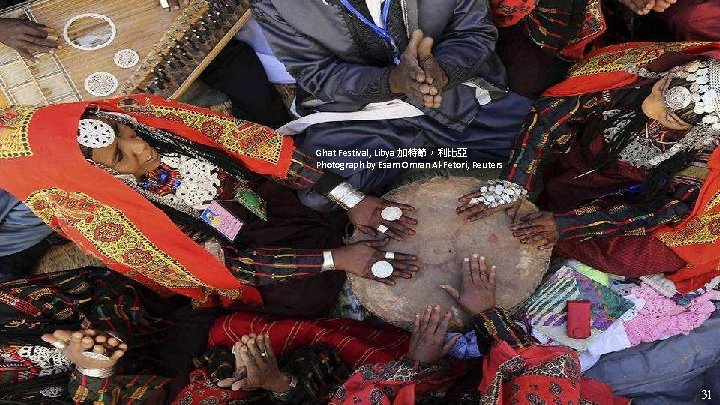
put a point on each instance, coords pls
(360, 259)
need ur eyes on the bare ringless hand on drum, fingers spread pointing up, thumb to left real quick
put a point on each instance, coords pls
(478, 285)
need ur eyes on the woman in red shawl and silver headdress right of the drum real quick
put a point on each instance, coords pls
(621, 158)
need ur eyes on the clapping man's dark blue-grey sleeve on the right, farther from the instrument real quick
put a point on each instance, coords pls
(467, 42)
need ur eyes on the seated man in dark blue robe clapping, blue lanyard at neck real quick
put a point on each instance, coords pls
(347, 54)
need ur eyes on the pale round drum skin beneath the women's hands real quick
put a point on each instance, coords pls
(442, 241)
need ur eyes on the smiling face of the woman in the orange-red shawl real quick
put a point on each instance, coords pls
(128, 154)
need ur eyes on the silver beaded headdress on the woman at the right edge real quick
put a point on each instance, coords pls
(703, 89)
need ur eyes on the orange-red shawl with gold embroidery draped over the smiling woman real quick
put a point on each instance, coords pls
(42, 165)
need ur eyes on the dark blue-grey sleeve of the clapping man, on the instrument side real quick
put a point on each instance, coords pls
(316, 69)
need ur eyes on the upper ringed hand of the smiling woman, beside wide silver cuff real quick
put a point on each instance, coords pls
(369, 218)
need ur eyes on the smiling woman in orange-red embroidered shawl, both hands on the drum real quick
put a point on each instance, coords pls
(126, 179)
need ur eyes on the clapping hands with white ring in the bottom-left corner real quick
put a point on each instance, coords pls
(75, 344)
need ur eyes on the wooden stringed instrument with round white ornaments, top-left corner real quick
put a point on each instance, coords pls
(141, 25)
